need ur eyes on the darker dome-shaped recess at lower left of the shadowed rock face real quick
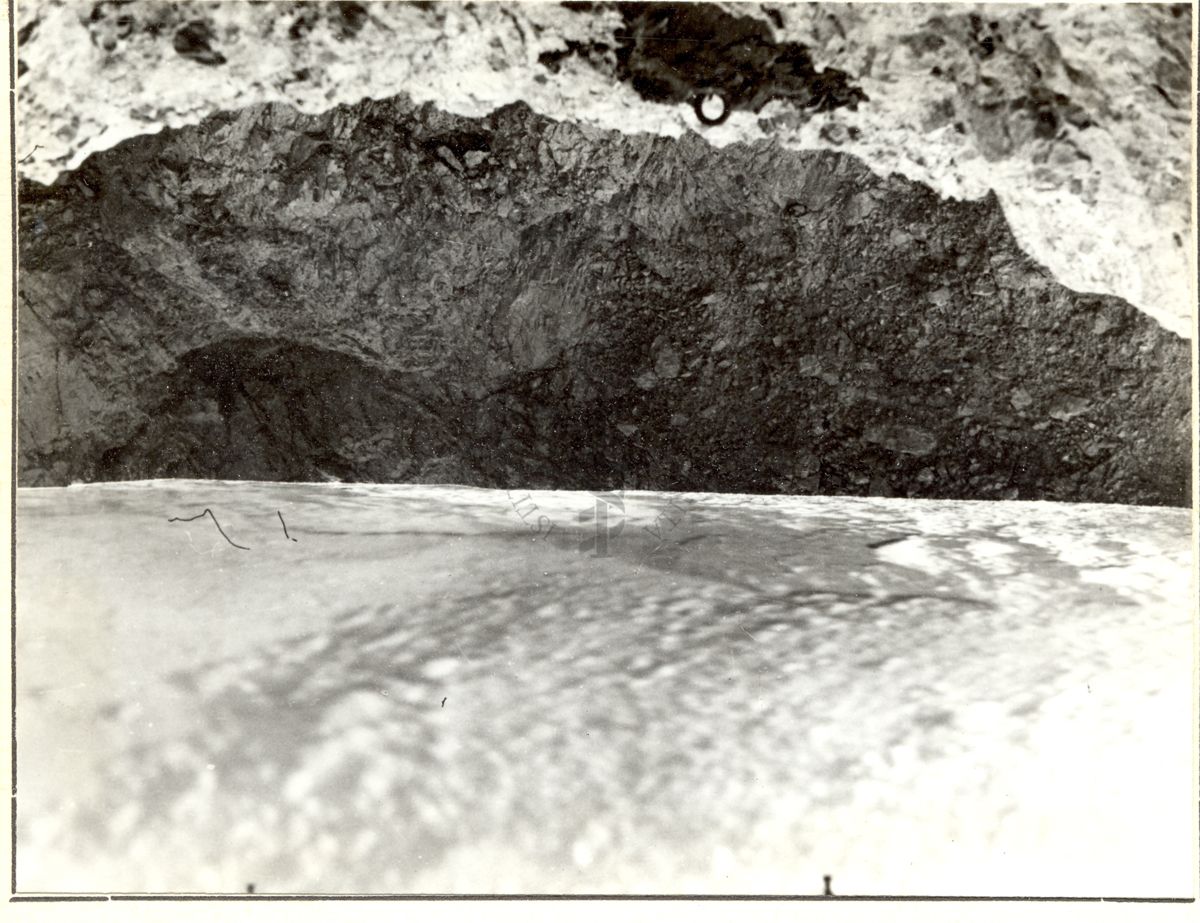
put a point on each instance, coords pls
(274, 405)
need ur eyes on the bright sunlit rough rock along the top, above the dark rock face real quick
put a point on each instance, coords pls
(1076, 116)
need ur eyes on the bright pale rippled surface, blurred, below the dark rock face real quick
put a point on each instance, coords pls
(745, 696)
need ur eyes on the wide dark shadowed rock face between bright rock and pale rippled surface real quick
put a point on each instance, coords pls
(393, 293)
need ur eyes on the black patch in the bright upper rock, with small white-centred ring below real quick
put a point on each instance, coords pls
(675, 53)
